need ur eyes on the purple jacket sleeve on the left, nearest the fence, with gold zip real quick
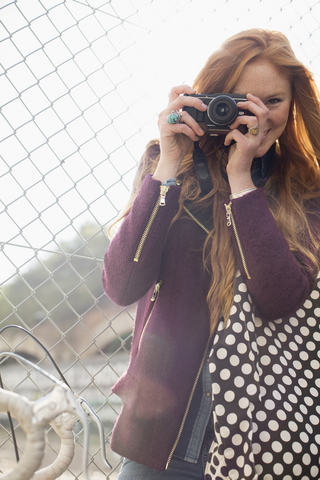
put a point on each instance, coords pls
(132, 261)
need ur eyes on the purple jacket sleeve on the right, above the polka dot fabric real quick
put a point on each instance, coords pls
(279, 280)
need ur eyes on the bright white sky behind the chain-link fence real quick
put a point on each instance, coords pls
(81, 85)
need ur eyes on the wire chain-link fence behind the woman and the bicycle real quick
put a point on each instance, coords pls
(81, 82)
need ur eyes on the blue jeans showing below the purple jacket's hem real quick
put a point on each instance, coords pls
(178, 469)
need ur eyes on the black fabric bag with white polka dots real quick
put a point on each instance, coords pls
(266, 393)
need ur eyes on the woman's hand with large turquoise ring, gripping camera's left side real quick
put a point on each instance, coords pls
(176, 139)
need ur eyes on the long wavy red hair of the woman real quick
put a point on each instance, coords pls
(294, 180)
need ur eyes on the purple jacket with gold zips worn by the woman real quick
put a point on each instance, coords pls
(163, 271)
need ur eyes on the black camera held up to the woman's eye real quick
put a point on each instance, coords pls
(221, 112)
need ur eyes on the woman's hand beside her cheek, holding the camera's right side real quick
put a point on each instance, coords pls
(242, 153)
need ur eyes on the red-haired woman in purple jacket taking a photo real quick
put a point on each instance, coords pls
(209, 270)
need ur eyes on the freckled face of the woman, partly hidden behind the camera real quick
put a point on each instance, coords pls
(262, 79)
